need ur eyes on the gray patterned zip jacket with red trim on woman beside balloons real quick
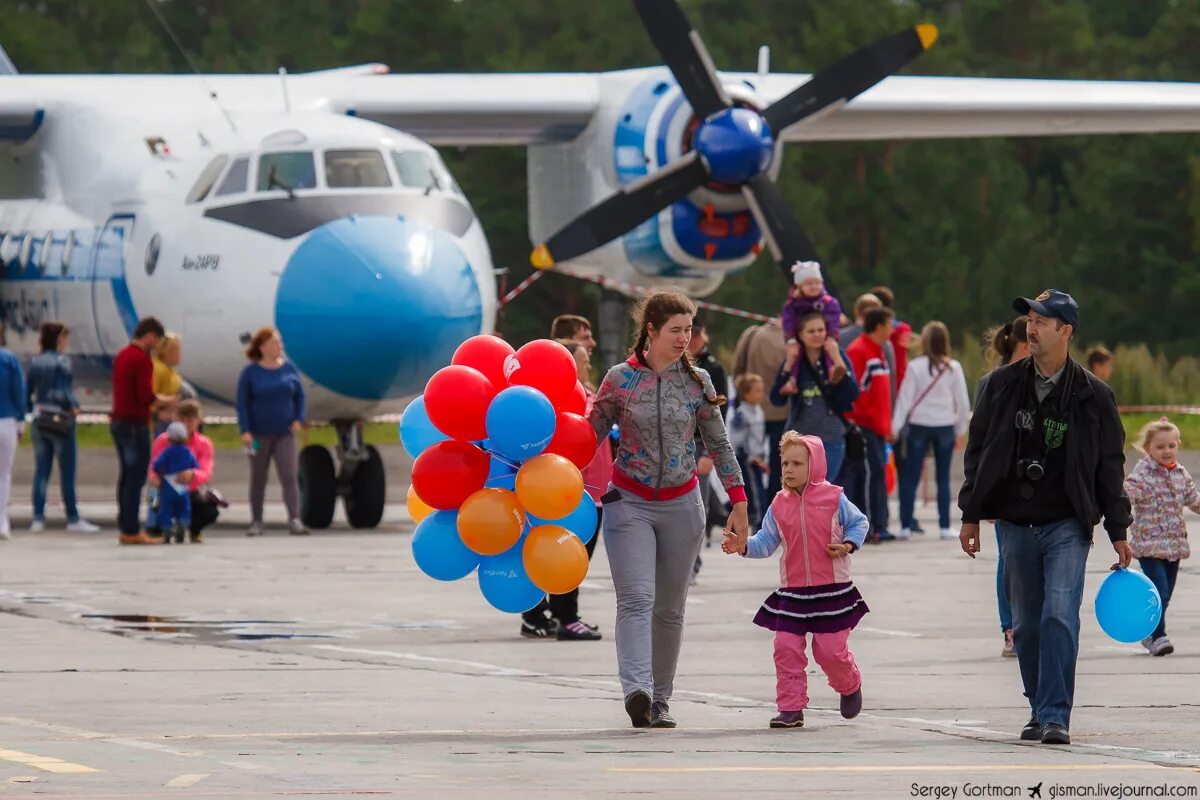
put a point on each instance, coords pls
(658, 416)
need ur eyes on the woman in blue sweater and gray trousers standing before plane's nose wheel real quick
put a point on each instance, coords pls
(271, 412)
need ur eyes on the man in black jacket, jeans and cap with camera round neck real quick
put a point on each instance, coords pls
(1046, 460)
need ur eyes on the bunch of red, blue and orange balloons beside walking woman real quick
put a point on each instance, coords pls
(500, 438)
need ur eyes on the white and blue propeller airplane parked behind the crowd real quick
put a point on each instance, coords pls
(317, 202)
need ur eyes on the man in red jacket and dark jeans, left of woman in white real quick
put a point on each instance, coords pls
(866, 484)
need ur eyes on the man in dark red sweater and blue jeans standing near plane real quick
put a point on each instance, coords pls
(134, 400)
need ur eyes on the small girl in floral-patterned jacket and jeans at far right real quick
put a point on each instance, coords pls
(1160, 490)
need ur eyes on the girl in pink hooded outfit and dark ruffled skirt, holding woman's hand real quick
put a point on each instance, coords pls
(819, 528)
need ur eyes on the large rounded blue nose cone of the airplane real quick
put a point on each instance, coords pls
(370, 308)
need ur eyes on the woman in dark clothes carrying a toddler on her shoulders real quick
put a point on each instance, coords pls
(827, 390)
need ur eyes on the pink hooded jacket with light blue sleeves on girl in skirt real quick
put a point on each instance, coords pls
(806, 525)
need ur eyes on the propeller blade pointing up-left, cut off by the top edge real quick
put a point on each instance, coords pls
(686, 55)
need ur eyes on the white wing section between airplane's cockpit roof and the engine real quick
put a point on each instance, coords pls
(475, 110)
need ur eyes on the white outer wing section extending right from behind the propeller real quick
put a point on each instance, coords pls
(941, 109)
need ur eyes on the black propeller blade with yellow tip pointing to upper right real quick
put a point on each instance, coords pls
(850, 77)
